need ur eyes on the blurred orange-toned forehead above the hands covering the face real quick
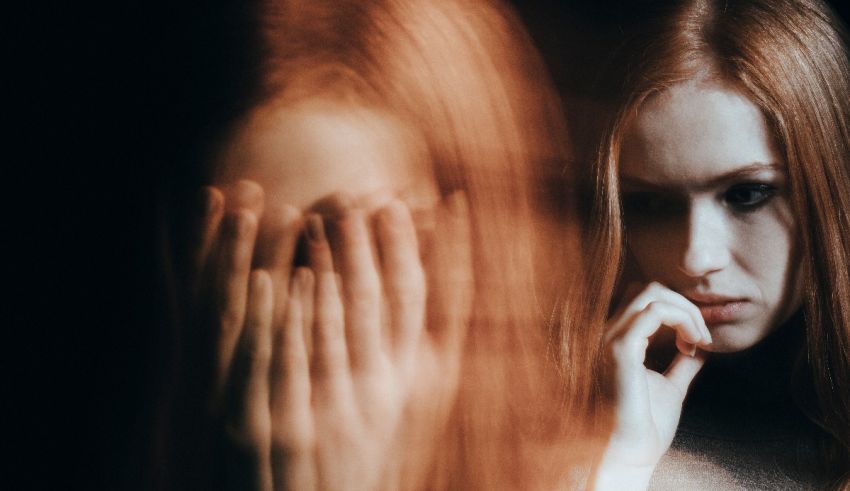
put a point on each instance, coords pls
(302, 153)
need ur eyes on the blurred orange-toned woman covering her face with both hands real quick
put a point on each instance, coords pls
(399, 105)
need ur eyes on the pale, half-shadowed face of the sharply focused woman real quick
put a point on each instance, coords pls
(707, 211)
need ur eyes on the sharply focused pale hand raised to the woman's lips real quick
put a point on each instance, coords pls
(647, 404)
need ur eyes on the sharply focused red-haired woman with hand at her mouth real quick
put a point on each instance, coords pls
(723, 183)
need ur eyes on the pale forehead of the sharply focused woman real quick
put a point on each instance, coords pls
(695, 131)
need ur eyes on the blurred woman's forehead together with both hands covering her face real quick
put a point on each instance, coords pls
(323, 372)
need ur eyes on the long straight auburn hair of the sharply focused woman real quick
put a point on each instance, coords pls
(791, 58)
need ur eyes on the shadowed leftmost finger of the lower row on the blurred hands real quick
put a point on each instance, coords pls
(249, 420)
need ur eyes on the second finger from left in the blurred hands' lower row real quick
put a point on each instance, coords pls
(293, 430)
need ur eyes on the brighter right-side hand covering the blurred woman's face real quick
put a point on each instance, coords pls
(383, 377)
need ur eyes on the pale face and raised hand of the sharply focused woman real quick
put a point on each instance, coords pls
(709, 226)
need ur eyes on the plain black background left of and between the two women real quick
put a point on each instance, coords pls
(107, 108)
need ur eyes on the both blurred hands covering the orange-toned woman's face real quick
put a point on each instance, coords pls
(341, 375)
